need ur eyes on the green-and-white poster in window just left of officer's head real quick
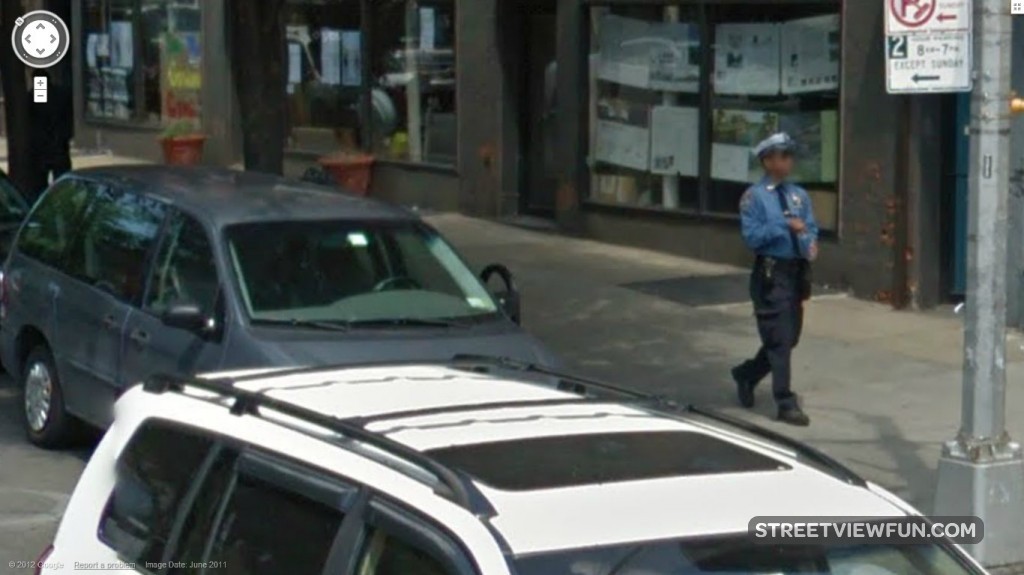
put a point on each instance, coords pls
(735, 134)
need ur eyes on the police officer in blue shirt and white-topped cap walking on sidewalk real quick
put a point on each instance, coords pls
(779, 227)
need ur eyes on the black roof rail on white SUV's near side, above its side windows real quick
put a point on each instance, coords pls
(452, 484)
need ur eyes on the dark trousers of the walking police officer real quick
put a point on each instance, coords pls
(778, 292)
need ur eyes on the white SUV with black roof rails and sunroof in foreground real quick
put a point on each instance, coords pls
(475, 467)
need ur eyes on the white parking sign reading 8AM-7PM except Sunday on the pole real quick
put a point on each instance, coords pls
(928, 47)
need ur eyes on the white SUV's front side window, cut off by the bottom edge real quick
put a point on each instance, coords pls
(399, 543)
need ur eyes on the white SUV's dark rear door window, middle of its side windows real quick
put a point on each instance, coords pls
(268, 528)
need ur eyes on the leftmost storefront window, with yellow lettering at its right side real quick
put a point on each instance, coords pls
(142, 61)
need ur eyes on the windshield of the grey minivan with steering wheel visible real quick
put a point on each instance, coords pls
(353, 273)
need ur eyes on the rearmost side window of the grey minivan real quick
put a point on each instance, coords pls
(55, 222)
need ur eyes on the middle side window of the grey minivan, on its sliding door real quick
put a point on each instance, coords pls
(119, 232)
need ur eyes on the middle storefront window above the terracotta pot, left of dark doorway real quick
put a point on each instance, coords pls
(399, 104)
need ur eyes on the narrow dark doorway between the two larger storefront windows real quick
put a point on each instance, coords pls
(539, 111)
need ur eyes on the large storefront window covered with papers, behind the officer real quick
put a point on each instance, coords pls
(767, 68)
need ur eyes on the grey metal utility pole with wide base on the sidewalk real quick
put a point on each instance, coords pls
(982, 472)
